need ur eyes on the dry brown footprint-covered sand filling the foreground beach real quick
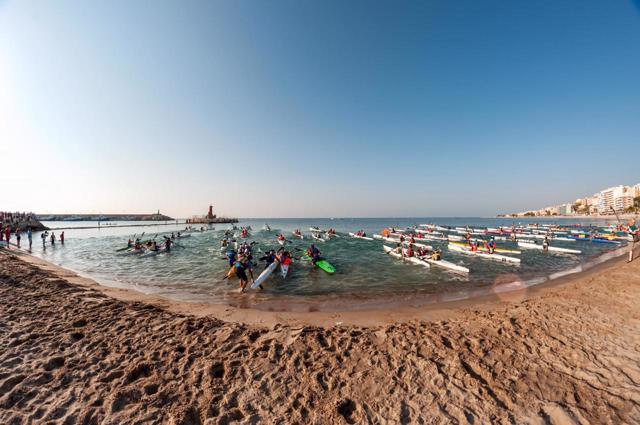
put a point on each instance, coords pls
(75, 352)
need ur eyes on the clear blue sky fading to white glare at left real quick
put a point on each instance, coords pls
(300, 108)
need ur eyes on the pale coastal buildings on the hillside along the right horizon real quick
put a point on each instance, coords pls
(615, 200)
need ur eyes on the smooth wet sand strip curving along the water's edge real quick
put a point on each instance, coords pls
(485, 298)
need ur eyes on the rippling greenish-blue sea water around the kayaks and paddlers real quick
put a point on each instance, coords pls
(366, 277)
